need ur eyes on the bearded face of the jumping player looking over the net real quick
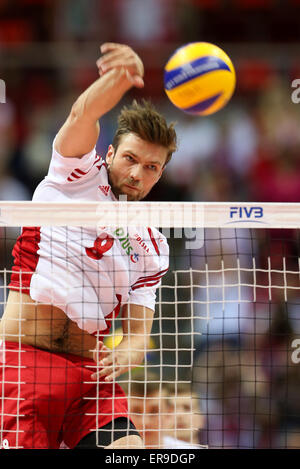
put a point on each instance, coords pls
(135, 166)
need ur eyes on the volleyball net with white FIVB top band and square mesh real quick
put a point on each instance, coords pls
(221, 369)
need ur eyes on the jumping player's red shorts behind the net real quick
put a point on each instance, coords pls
(47, 398)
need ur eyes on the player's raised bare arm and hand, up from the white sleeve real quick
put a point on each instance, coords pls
(120, 68)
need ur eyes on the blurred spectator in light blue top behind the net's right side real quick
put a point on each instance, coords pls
(222, 308)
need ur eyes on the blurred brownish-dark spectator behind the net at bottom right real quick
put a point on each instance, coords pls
(236, 399)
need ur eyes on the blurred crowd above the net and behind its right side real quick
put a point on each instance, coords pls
(247, 384)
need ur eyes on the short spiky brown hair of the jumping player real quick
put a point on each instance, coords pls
(148, 124)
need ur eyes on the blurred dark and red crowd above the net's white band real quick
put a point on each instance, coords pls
(249, 151)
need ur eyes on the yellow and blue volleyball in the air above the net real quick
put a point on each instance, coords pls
(199, 78)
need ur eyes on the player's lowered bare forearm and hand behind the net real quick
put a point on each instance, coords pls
(137, 324)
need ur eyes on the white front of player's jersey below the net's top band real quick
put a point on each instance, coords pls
(88, 272)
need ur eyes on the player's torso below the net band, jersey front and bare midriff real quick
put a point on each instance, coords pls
(81, 277)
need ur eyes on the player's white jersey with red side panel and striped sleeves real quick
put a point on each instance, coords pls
(88, 273)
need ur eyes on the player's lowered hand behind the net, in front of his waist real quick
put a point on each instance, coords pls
(114, 362)
